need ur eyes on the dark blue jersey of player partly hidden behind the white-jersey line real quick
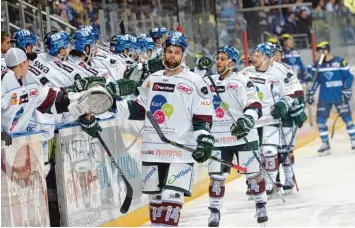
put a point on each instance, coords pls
(293, 58)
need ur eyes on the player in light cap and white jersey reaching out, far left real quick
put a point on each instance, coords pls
(22, 94)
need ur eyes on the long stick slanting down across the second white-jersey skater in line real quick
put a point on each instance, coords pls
(246, 141)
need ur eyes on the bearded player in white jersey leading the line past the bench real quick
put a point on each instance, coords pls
(181, 104)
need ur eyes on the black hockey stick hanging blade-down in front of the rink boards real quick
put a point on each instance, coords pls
(129, 190)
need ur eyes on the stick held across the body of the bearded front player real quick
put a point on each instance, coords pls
(162, 137)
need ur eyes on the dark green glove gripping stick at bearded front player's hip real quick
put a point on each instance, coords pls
(204, 148)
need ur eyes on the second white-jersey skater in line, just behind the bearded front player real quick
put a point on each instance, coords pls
(239, 95)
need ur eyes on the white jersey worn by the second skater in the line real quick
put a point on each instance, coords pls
(239, 95)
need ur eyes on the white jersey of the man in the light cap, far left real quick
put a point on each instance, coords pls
(20, 99)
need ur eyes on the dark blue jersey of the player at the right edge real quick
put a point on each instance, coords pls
(333, 77)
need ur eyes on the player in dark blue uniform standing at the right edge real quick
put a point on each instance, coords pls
(335, 81)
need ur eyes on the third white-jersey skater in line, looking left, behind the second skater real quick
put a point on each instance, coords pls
(275, 94)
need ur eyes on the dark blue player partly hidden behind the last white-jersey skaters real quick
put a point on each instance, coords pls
(293, 58)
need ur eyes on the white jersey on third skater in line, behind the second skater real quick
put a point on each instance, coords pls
(271, 85)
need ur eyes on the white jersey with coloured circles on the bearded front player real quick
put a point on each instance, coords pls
(177, 102)
